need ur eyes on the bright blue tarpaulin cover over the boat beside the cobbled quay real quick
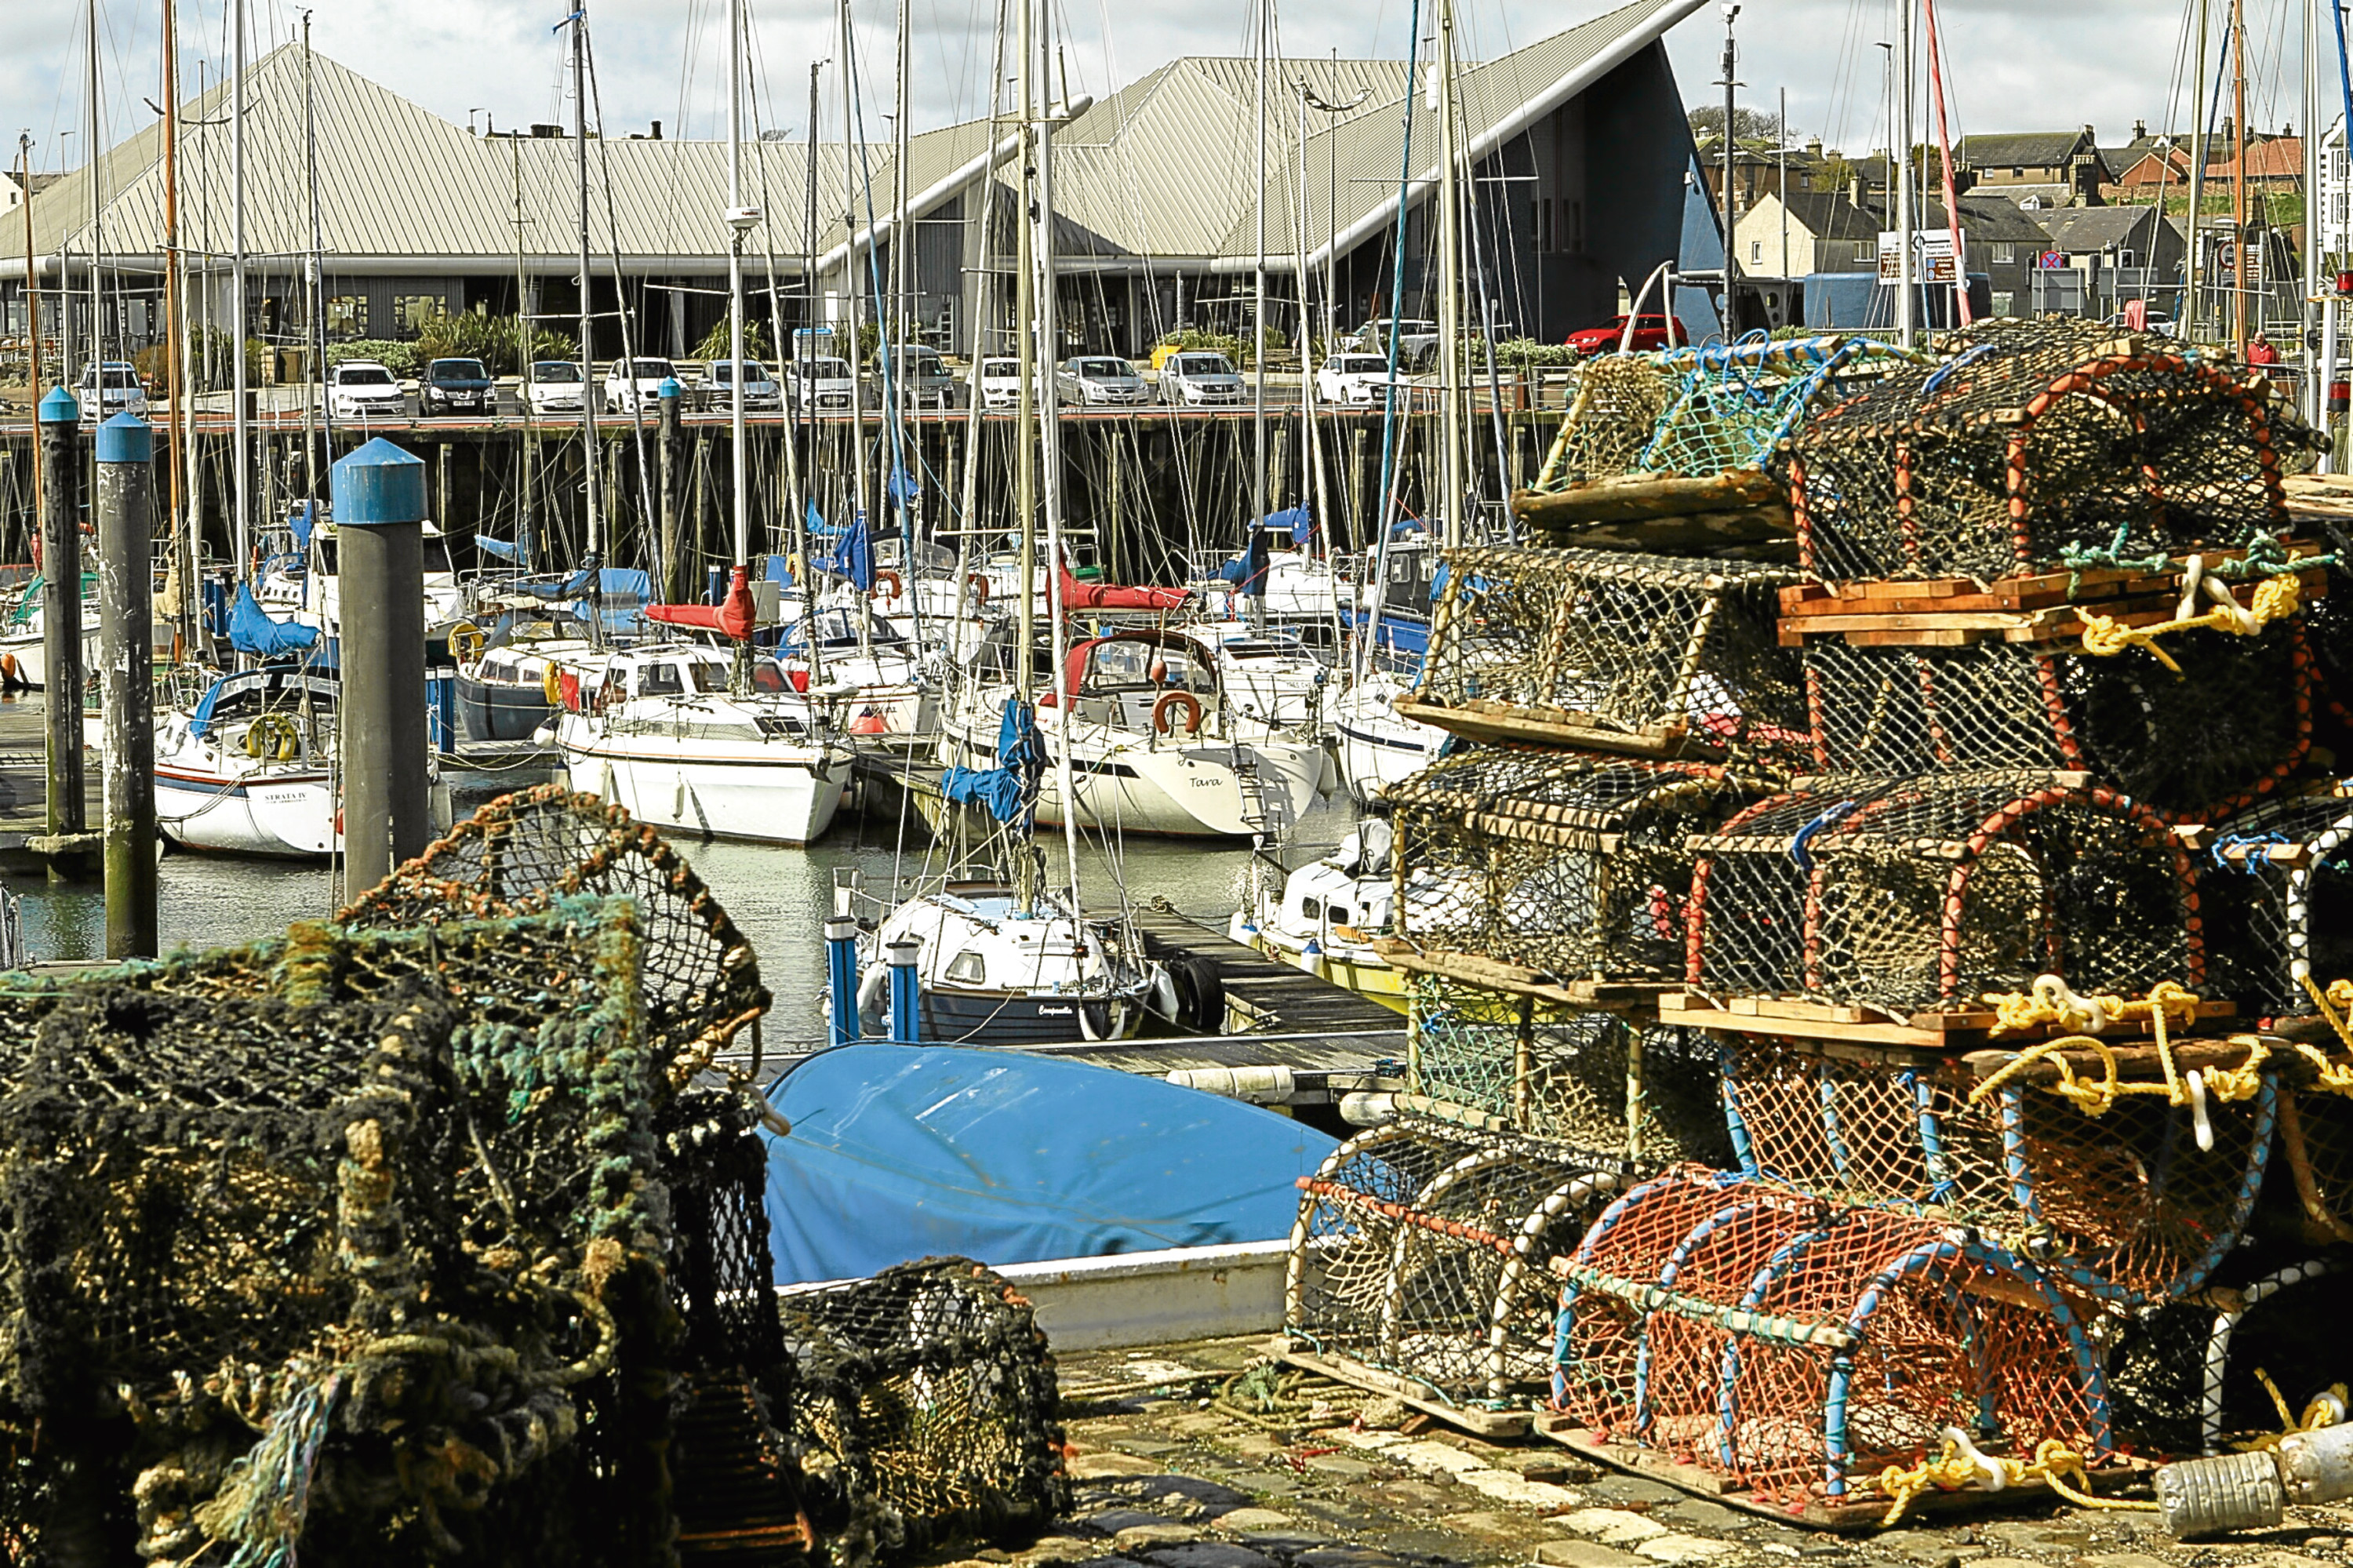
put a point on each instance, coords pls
(926, 1150)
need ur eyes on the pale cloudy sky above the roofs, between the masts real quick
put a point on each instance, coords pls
(2015, 65)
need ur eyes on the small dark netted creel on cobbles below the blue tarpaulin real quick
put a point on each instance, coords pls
(926, 1409)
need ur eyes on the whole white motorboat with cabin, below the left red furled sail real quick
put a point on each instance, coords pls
(665, 738)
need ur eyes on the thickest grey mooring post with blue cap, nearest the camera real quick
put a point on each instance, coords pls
(380, 505)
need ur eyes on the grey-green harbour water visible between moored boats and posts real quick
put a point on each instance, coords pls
(780, 898)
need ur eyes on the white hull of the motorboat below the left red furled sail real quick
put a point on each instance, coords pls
(785, 799)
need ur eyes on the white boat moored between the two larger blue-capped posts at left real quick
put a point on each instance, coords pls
(251, 769)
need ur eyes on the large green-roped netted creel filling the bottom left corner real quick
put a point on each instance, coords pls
(347, 1242)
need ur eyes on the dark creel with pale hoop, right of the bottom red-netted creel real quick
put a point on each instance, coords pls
(2187, 1378)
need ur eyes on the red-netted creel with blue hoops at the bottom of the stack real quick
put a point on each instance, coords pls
(1799, 1348)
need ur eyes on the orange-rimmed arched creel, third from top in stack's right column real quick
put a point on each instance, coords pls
(1928, 893)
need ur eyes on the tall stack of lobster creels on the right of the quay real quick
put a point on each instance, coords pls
(1971, 846)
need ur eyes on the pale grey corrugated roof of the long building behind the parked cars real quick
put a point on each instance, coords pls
(1166, 166)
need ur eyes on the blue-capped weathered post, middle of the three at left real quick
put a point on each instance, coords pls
(128, 679)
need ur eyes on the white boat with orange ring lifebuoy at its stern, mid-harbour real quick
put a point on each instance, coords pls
(1154, 745)
